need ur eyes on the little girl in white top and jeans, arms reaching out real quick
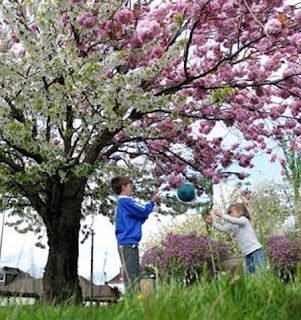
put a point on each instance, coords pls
(239, 223)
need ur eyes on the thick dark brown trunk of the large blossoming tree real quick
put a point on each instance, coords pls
(62, 220)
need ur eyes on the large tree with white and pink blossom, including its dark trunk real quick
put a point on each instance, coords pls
(86, 85)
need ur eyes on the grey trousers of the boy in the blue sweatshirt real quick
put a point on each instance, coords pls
(129, 256)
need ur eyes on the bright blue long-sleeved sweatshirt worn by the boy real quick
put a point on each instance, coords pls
(129, 219)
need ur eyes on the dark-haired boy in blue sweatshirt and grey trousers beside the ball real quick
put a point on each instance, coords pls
(128, 229)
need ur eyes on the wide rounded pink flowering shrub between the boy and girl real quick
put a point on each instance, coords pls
(184, 256)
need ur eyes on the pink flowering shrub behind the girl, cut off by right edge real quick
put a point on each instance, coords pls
(285, 254)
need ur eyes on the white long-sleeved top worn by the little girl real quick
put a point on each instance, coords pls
(242, 231)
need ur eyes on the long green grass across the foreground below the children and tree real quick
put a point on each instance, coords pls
(239, 297)
